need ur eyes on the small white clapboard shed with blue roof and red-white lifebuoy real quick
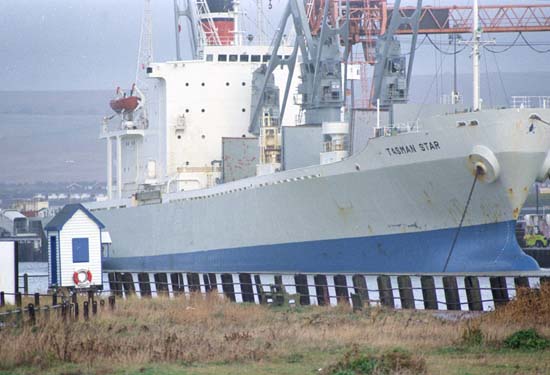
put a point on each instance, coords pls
(74, 248)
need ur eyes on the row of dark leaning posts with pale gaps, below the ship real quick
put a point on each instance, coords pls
(473, 292)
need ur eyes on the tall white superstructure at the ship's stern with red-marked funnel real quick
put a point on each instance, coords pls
(192, 105)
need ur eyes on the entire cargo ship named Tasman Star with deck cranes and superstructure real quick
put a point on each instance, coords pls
(235, 161)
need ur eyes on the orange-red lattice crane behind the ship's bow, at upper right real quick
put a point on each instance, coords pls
(369, 19)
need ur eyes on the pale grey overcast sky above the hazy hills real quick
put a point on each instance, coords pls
(92, 44)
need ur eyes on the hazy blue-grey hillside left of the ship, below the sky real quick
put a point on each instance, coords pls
(52, 136)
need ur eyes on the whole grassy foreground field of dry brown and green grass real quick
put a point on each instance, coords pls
(207, 335)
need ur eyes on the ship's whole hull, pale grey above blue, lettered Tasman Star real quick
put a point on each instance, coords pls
(395, 206)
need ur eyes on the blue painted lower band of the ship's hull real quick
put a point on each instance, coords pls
(481, 248)
